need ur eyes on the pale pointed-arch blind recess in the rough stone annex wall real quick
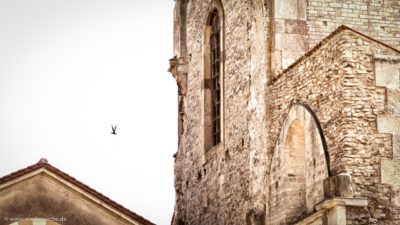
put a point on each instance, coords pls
(299, 167)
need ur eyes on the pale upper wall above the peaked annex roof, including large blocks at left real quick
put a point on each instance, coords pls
(300, 25)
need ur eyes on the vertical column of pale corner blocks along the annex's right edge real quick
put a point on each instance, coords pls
(387, 74)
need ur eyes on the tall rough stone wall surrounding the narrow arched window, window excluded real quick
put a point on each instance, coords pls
(211, 183)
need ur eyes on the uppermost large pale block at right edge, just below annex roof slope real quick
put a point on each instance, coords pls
(387, 74)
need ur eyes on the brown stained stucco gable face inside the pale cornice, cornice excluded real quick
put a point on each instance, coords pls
(43, 198)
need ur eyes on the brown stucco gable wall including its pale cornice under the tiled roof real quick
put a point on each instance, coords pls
(33, 199)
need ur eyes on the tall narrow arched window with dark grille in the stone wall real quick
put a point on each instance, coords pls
(213, 67)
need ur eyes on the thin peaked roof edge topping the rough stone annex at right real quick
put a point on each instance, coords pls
(325, 40)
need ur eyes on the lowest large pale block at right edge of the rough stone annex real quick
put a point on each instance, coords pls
(390, 171)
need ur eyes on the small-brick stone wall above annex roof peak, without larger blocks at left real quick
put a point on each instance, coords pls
(379, 19)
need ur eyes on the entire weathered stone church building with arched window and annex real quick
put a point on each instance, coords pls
(289, 112)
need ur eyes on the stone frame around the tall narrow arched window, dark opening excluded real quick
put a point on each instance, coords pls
(208, 139)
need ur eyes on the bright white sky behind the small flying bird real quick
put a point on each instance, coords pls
(71, 68)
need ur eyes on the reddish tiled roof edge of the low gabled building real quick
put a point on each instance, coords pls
(44, 166)
